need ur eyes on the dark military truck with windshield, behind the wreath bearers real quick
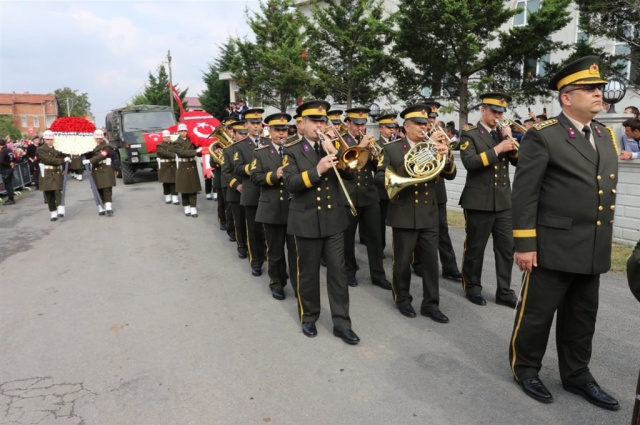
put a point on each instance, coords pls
(125, 128)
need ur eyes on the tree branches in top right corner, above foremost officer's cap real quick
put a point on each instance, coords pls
(618, 20)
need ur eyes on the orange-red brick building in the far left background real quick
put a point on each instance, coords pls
(35, 111)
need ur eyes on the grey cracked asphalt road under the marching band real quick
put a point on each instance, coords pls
(149, 317)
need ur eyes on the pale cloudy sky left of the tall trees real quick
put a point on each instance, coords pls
(107, 48)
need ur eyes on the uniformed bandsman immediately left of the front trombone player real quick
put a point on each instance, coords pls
(273, 208)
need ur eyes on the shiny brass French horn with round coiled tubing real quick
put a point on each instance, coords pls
(422, 163)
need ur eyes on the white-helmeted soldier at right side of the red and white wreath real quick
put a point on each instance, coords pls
(102, 171)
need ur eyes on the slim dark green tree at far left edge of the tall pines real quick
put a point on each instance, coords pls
(215, 98)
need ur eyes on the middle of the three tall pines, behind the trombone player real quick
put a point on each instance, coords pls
(350, 50)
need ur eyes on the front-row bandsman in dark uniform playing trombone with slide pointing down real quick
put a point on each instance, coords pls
(317, 220)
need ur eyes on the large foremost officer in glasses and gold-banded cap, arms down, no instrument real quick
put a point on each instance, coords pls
(564, 194)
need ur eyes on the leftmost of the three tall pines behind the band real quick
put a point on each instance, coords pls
(273, 68)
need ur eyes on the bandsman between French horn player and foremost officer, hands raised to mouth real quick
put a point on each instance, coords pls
(486, 153)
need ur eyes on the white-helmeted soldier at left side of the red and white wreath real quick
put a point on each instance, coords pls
(51, 174)
